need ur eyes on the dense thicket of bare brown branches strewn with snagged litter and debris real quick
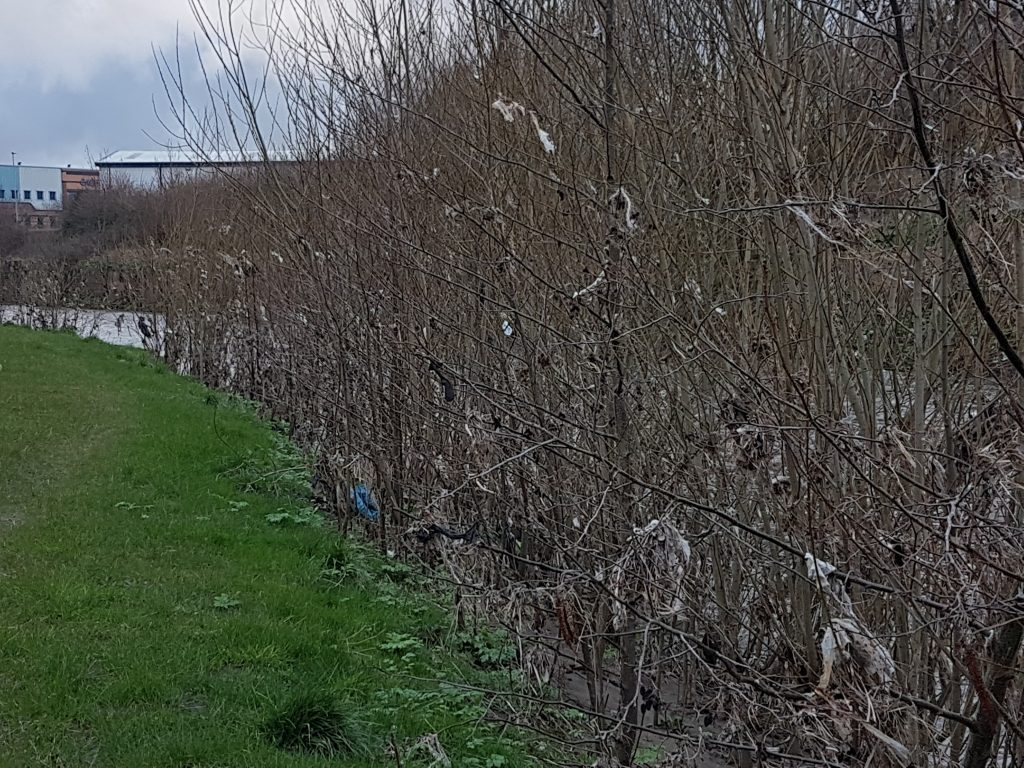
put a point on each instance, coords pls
(705, 315)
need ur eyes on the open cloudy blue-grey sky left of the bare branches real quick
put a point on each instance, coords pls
(78, 77)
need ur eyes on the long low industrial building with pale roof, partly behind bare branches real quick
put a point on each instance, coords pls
(161, 168)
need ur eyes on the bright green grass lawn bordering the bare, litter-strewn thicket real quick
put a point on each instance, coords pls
(165, 601)
